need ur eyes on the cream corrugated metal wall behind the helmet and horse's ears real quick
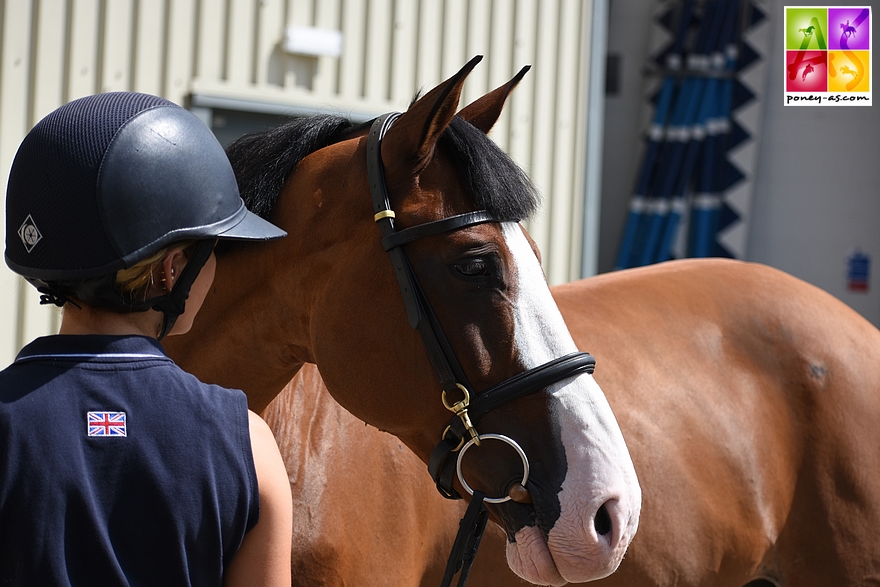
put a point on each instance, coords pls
(203, 52)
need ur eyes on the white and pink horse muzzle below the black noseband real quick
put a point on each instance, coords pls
(599, 501)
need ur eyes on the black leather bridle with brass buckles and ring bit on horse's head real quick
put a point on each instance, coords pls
(460, 433)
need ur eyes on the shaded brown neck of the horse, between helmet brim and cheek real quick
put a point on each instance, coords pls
(254, 331)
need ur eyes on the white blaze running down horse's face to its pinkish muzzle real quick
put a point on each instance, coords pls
(599, 468)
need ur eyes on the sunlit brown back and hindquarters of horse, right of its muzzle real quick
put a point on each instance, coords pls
(749, 401)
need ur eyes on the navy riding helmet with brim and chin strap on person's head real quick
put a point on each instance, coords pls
(106, 181)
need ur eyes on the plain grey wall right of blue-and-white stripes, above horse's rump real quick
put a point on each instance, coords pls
(817, 195)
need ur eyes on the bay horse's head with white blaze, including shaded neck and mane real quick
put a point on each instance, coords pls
(330, 294)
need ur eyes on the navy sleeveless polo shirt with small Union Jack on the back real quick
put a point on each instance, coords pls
(119, 468)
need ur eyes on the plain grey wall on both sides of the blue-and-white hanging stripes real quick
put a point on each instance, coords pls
(816, 183)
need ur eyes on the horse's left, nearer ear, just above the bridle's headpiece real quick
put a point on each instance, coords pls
(417, 129)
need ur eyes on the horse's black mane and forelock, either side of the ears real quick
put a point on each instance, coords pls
(263, 160)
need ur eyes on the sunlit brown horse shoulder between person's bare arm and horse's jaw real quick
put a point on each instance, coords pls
(365, 509)
